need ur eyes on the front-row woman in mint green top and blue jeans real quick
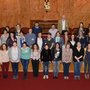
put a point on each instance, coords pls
(25, 57)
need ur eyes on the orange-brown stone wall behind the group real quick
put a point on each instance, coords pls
(22, 11)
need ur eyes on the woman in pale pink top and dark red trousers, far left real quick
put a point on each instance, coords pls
(4, 60)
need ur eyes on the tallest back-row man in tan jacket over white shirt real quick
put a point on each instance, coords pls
(63, 25)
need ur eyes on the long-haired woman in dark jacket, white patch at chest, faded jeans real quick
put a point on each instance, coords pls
(56, 60)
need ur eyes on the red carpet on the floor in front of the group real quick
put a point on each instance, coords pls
(40, 84)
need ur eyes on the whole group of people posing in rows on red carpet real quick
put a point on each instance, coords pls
(58, 47)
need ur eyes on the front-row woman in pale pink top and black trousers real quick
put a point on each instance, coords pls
(35, 57)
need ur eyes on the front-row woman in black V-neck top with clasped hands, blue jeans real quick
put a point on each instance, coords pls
(78, 55)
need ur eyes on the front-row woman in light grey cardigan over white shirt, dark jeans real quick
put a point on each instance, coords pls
(14, 55)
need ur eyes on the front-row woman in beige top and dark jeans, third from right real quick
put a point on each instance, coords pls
(66, 60)
